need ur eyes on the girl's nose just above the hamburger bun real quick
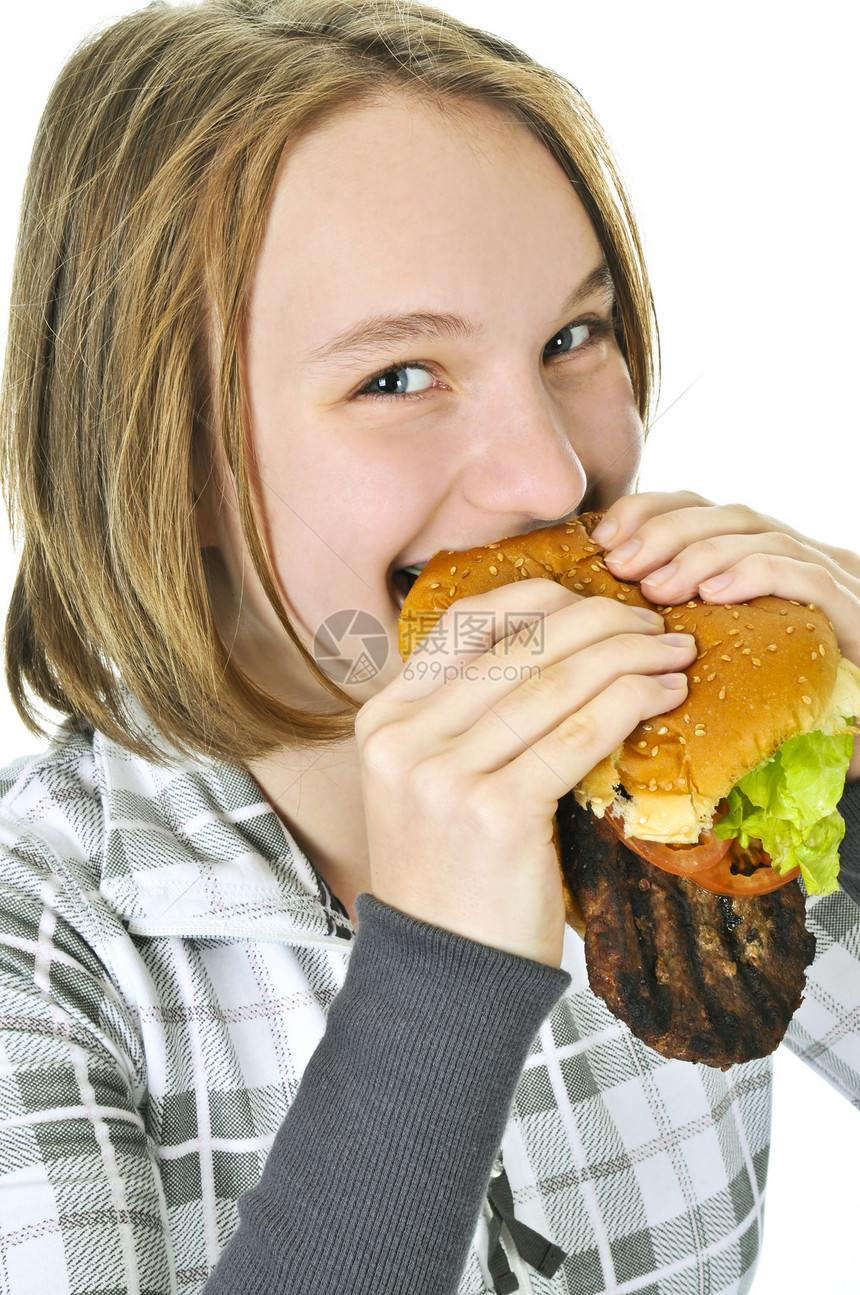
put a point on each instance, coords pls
(521, 459)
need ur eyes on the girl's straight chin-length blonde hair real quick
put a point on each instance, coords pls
(143, 217)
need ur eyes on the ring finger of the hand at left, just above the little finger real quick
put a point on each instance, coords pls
(547, 697)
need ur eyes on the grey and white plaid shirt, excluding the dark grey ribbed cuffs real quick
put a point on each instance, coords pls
(169, 958)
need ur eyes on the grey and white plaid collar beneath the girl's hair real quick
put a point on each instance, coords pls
(194, 849)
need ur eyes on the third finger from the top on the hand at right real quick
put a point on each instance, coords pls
(704, 567)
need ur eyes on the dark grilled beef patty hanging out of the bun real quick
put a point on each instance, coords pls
(696, 976)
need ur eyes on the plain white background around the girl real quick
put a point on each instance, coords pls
(736, 130)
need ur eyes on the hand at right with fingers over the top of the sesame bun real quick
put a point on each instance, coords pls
(682, 546)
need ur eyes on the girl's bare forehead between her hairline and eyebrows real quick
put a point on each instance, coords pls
(401, 200)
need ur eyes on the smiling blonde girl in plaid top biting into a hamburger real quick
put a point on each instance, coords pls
(306, 293)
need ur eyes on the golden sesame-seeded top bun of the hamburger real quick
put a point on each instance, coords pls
(766, 671)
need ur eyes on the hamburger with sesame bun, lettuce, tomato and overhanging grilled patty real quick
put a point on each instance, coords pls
(681, 851)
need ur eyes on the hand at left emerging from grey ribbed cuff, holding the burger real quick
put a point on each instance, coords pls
(466, 754)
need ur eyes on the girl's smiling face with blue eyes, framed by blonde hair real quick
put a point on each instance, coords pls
(431, 363)
